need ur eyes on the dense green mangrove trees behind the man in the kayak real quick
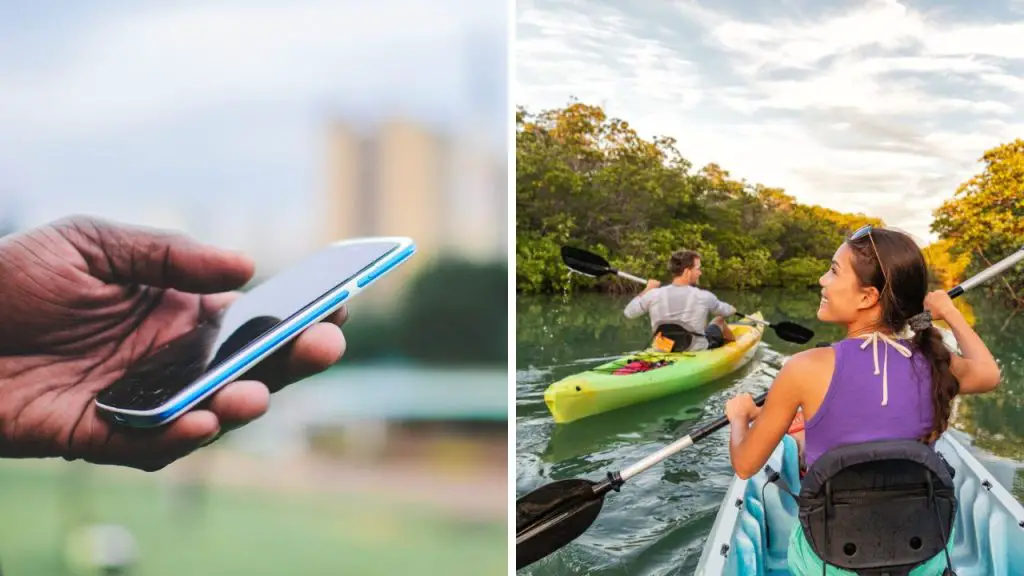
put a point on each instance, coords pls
(591, 182)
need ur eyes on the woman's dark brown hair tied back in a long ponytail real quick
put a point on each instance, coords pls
(902, 299)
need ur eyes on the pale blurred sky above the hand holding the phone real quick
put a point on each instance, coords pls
(216, 112)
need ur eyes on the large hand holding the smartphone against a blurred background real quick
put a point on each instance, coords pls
(83, 300)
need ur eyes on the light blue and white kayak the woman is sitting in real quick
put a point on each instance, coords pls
(989, 537)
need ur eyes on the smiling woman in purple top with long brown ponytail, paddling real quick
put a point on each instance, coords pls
(877, 384)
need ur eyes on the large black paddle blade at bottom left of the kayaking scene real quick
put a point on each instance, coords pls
(553, 516)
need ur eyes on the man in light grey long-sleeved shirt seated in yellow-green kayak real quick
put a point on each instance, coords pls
(679, 312)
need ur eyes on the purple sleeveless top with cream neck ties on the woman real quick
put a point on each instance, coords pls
(854, 410)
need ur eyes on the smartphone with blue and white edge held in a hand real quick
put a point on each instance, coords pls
(180, 376)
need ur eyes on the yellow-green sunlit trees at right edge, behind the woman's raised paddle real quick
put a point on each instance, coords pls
(985, 222)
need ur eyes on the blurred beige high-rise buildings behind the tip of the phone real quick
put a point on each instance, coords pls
(400, 178)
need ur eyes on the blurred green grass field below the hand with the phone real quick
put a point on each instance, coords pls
(234, 531)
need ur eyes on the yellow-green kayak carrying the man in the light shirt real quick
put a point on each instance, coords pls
(607, 388)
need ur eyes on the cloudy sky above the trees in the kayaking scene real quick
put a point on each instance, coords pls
(877, 107)
